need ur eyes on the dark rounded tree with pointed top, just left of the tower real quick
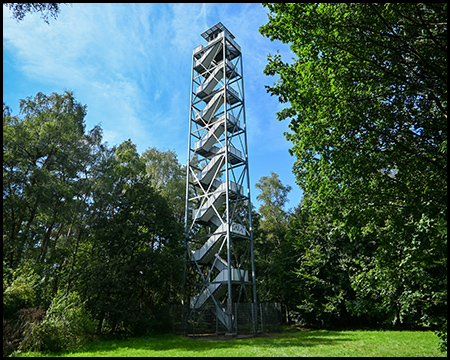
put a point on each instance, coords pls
(135, 250)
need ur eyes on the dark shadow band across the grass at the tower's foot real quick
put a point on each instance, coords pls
(163, 343)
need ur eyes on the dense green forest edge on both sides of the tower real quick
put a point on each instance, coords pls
(89, 229)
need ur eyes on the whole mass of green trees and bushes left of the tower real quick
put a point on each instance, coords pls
(88, 235)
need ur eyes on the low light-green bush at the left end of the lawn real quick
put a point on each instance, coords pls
(65, 326)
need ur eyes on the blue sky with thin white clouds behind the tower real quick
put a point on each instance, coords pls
(131, 65)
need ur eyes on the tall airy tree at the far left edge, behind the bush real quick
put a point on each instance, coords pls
(47, 157)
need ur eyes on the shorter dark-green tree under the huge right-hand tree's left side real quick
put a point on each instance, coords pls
(327, 264)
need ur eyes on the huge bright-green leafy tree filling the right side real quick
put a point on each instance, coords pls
(367, 94)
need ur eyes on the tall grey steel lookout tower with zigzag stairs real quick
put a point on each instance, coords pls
(219, 264)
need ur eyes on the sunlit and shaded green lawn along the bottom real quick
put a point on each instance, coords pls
(291, 343)
